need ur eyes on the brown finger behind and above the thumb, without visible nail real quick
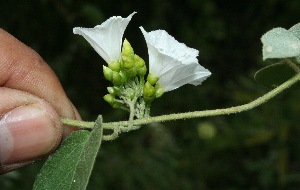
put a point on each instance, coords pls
(23, 69)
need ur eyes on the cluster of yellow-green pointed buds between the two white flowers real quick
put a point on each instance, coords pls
(127, 75)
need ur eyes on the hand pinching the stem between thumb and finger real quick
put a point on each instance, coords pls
(32, 101)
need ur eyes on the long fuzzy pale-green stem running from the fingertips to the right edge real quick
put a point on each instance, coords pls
(195, 114)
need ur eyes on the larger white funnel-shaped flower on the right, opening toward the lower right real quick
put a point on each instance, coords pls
(172, 62)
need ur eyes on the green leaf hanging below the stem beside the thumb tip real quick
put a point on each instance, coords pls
(71, 165)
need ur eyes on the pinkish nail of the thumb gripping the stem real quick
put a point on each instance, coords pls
(26, 133)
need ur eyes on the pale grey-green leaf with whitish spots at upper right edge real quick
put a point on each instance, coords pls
(280, 43)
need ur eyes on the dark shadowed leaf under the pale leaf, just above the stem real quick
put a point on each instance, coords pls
(274, 75)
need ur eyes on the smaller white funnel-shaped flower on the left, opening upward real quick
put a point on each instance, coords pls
(106, 38)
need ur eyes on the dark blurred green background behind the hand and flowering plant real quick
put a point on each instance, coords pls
(258, 149)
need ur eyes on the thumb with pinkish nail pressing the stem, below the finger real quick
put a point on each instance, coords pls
(29, 130)
